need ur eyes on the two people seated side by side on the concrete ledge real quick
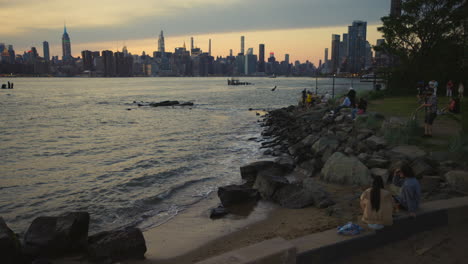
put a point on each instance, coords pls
(378, 204)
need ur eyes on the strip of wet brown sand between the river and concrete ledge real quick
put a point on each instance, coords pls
(192, 236)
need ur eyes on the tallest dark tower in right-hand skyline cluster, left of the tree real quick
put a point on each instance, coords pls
(357, 33)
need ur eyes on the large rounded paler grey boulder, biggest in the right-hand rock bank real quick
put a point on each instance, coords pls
(343, 169)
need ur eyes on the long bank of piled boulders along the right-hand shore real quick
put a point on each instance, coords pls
(309, 149)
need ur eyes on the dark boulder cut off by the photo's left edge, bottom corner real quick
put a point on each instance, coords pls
(10, 246)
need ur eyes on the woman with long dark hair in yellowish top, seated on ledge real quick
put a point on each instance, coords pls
(377, 205)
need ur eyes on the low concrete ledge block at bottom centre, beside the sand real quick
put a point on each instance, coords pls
(273, 251)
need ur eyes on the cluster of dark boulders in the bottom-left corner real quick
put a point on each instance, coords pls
(67, 235)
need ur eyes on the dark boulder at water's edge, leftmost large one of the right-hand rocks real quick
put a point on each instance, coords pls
(235, 194)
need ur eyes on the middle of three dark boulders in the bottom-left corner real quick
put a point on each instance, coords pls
(56, 236)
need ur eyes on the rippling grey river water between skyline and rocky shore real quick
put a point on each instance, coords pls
(81, 144)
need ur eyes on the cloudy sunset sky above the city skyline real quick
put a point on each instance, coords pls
(301, 28)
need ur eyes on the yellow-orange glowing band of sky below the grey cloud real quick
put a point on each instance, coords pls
(300, 44)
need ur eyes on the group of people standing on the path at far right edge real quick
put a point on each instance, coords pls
(427, 98)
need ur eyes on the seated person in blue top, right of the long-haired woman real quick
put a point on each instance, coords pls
(410, 192)
